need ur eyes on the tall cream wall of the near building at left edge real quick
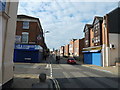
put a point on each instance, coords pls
(8, 29)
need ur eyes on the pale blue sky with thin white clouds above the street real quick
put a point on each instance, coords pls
(64, 20)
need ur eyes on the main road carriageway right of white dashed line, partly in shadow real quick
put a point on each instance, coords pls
(77, 76)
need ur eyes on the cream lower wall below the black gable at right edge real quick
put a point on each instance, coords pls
(113, 39)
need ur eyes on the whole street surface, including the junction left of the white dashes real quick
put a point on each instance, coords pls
(67, 75)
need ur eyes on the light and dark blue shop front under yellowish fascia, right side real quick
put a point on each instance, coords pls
(93, 56)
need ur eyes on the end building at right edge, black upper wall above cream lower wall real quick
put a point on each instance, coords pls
(111, 27)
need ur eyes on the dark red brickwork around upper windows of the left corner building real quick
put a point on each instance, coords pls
(33, 31)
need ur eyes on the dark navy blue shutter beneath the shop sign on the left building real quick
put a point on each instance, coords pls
(21, 54)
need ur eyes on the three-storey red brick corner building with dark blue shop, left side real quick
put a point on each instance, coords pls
(29, 40)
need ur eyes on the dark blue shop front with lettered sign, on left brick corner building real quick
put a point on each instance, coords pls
(28, 53)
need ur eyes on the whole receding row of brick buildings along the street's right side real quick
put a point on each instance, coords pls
(100, 45)
